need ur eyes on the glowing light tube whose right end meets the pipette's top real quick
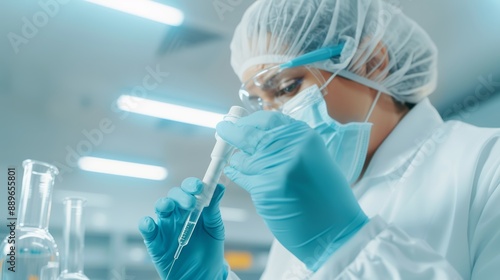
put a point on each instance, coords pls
(168, 111)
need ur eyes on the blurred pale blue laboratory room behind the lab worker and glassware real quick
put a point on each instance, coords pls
(67, 67)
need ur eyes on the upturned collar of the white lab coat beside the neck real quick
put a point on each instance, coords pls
(405, 140)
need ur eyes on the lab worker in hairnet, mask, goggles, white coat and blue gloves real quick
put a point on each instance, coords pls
(346, 160)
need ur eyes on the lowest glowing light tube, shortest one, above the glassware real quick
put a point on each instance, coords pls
(122, 168)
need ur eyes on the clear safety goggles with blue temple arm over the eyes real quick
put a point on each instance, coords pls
(271, 88)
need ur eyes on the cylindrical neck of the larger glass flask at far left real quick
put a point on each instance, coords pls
(36, 196)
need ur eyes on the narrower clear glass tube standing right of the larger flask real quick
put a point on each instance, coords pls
(74, 236)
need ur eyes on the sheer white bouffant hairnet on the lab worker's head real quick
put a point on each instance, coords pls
(276, 31)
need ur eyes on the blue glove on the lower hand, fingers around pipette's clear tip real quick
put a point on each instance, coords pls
(203, 256)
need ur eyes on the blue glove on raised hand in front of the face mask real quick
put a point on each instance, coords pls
(296, 187)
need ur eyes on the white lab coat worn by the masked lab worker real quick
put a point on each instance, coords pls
(432, 191)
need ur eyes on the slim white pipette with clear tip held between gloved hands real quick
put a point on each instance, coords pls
(220, 155)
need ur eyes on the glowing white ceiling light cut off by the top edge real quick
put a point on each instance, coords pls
(146, 9)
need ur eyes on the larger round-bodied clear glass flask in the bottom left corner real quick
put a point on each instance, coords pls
(29, 252)
